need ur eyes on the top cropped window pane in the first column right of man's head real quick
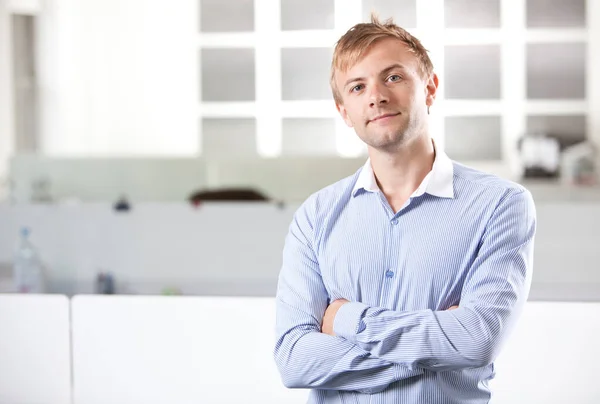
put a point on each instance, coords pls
(472, 13)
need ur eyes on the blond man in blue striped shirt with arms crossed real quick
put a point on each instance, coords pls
(400, 283)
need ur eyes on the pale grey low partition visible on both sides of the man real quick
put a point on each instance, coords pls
(235, 249)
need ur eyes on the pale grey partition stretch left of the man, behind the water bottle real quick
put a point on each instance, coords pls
(155, 246)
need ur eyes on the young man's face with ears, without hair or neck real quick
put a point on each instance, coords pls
(384, 98)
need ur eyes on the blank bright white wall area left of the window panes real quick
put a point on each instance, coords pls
(118, 77)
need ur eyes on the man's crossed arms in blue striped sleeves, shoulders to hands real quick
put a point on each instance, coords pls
(373, 347)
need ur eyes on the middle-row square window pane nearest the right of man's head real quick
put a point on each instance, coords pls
(472, 72)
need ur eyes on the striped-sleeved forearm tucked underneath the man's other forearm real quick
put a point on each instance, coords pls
(307, 358)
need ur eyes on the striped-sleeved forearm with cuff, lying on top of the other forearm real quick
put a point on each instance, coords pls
(433, 340)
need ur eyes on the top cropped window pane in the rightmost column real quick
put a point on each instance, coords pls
(555, 13)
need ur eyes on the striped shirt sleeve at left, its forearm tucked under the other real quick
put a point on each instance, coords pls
(305, 357)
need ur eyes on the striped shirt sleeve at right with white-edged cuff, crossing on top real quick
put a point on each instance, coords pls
(494, 292)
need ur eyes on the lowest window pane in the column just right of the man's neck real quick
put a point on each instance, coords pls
(474, 138)
